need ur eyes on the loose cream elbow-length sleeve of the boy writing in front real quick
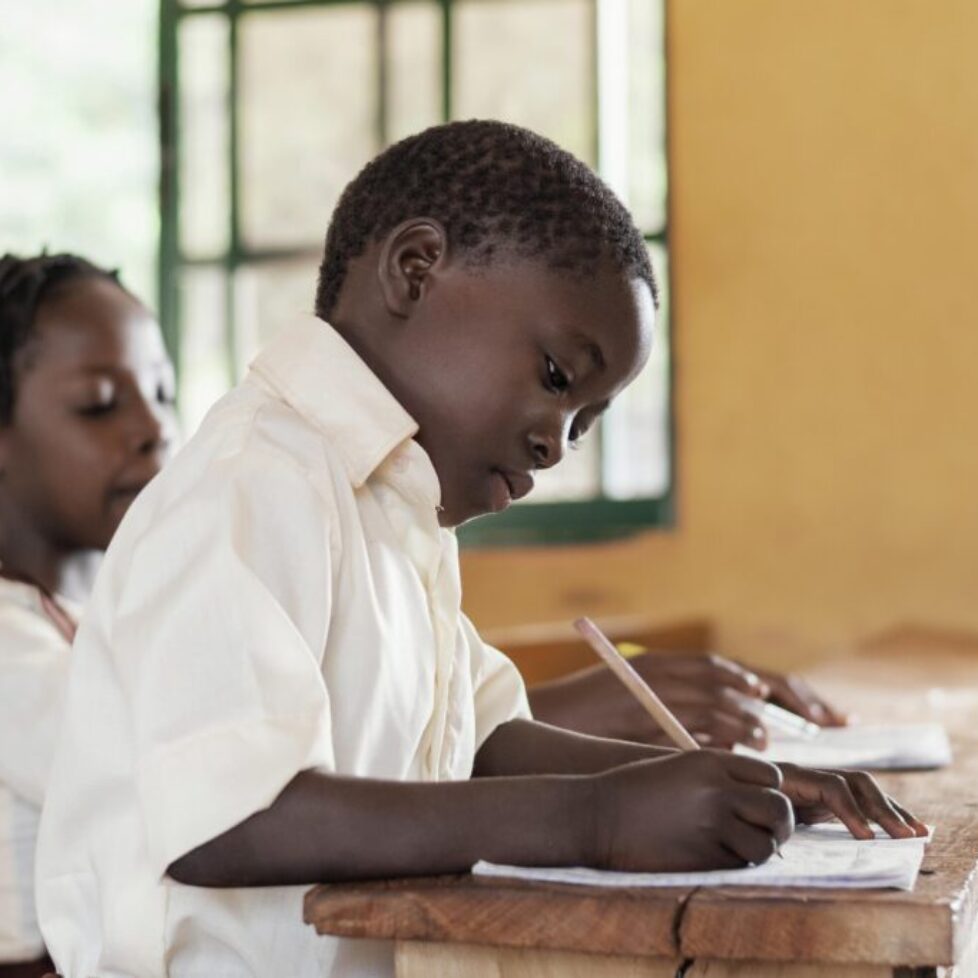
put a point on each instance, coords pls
(217, 641)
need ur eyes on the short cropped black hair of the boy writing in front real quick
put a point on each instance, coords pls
(497, 188)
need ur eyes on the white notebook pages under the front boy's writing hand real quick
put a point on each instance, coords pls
(815, 856)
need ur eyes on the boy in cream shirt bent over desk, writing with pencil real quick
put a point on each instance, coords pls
(275, 685)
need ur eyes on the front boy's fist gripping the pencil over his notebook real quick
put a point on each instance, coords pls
(690, 811)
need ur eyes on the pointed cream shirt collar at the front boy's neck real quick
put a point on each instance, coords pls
(323, 378)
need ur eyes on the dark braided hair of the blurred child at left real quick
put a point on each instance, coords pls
(26, 283)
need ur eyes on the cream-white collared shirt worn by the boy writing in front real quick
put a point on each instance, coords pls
(280, 598)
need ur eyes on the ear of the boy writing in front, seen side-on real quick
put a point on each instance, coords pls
(411, 252)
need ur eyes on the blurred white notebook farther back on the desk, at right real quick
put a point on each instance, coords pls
(877, 747)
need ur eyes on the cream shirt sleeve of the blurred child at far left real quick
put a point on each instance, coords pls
(33, 673)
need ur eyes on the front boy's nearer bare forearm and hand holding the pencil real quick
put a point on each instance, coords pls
(698, 810)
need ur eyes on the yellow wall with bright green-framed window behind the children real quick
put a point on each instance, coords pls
(795, 467)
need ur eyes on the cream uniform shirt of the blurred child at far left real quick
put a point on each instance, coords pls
(33, 671)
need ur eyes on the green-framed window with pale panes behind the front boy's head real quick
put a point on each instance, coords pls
(271, 106)
